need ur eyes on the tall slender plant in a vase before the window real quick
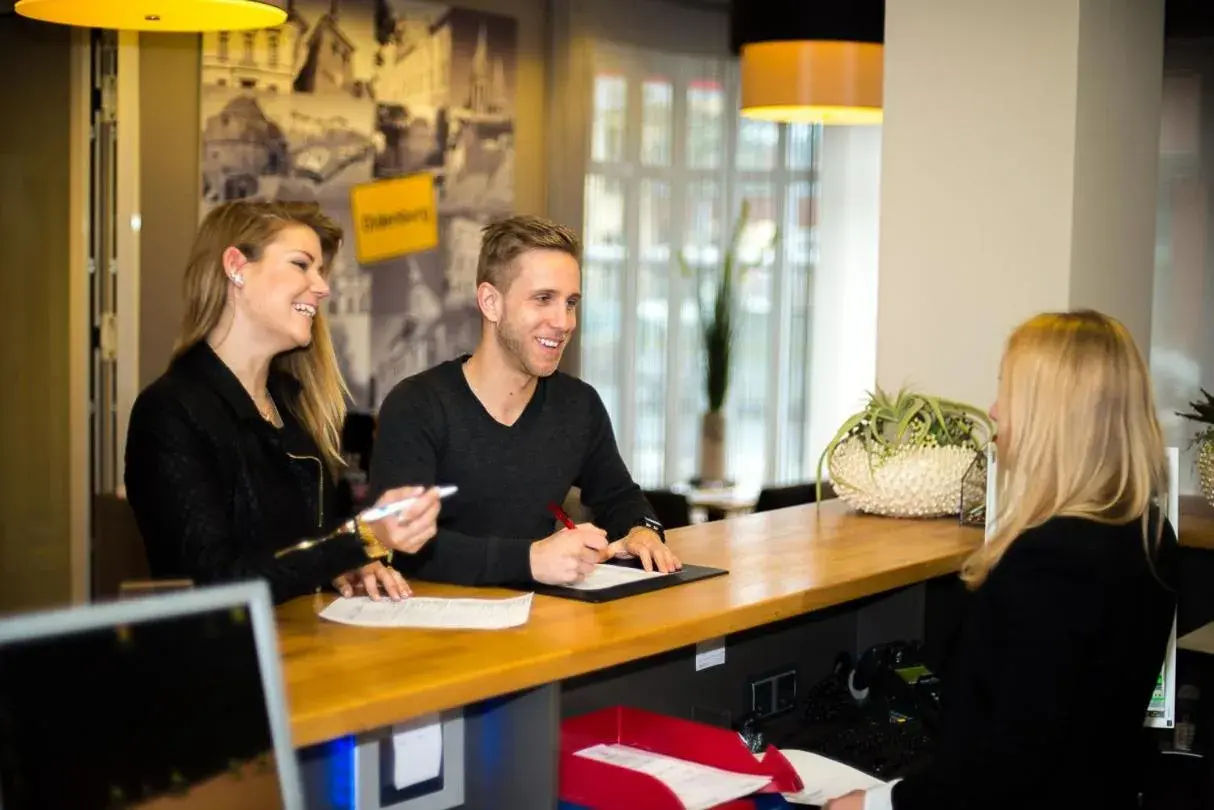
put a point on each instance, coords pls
(718, 310)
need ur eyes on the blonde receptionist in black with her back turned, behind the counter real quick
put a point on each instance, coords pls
(1071, 610)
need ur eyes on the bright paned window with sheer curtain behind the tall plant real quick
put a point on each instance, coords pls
(671, 163)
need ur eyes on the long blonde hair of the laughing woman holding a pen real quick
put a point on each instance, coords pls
(251, 226)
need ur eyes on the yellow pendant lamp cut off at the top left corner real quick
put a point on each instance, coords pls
(177, 16)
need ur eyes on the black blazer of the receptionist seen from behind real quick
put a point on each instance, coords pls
(1048, 686)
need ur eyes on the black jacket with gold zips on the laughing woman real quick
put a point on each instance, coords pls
(217, 490)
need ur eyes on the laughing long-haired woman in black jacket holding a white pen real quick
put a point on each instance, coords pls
(231, 455)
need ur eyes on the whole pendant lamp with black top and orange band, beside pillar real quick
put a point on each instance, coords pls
(810, 63)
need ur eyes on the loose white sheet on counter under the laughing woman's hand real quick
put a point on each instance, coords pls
(428, 613)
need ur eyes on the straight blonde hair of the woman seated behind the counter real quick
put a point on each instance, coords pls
(1083, 437)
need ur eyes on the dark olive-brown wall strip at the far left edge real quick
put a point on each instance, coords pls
(38, 461)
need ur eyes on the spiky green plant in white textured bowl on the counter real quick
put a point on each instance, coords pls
(906, 455)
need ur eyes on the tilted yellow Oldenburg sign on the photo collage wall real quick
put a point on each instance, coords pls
(395, 218)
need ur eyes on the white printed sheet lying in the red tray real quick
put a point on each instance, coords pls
(697, 788)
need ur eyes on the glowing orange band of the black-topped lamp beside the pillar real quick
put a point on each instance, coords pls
(813, 82)
